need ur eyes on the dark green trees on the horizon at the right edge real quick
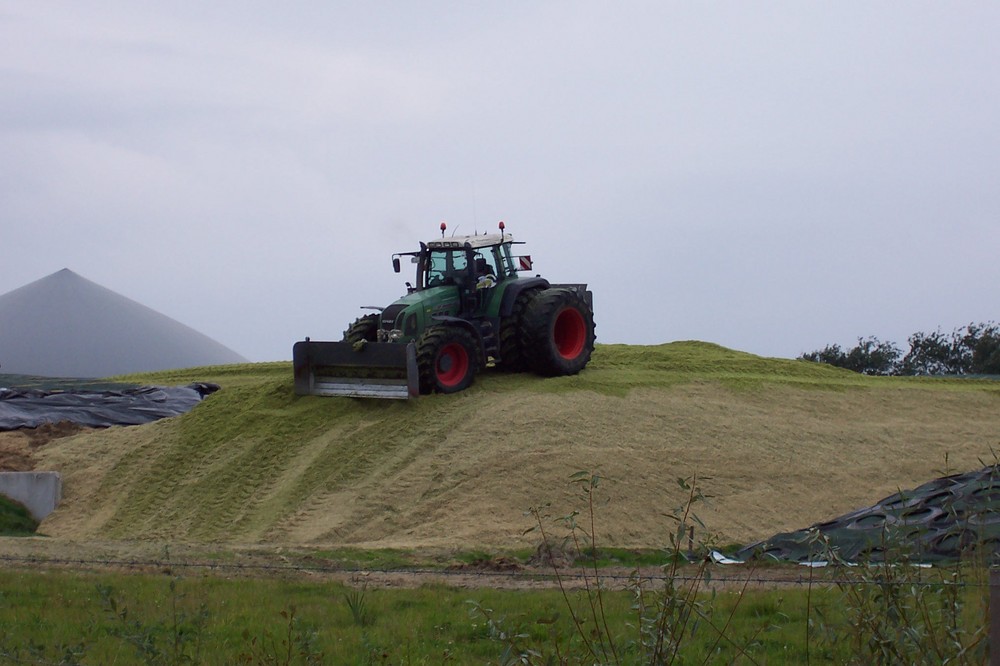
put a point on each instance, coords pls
(972, 350)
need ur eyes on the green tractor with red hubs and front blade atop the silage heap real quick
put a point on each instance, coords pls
(469, 309)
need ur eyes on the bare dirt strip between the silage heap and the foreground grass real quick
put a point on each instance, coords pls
(39, 553)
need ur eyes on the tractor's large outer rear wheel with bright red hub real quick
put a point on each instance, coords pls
(558, 330)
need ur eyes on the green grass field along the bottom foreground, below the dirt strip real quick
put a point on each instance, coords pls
(86, 618)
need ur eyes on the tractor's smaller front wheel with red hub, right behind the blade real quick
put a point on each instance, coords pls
(447, 359)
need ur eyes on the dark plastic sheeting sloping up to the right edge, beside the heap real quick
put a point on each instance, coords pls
(949, 519)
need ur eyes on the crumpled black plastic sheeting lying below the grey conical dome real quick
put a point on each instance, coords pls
(30, 408)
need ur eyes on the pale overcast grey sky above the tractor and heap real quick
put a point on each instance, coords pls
(772, 177)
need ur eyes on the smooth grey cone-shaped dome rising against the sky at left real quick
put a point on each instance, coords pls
(67, 326)
